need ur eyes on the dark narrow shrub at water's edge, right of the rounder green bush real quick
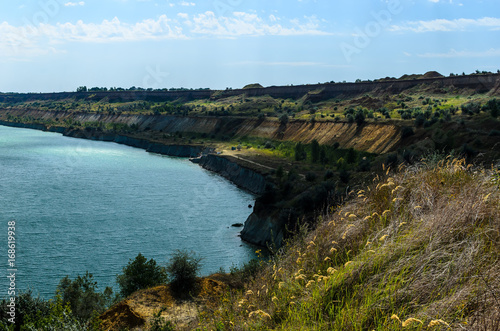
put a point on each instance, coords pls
(183, 268)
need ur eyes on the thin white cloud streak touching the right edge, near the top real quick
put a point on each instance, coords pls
(461, 24)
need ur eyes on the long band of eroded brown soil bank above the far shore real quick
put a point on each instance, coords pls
(376, 138)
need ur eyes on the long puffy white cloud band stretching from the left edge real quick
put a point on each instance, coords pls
(41, 39)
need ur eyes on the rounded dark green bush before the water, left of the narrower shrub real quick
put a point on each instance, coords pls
(139, 274)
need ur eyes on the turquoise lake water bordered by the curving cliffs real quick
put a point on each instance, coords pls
(83, 205)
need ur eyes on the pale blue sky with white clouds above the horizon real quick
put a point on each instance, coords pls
(59, 45)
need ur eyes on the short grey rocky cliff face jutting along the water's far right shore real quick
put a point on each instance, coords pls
(243, 177)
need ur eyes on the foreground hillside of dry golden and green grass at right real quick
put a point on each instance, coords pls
(417, 249)
